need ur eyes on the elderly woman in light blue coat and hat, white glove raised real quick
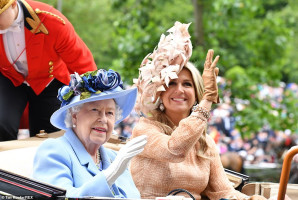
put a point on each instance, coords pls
(91, 105)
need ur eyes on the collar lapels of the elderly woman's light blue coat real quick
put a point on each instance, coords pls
(84, 157)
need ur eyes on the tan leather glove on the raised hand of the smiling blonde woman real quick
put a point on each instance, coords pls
(209, 78)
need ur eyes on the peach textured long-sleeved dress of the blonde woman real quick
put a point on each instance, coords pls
(171, 162)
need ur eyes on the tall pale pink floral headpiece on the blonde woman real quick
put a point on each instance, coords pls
(164, 63)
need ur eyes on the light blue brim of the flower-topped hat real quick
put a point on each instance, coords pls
(125, 99)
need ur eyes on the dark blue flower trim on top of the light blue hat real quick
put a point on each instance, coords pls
(89, 83)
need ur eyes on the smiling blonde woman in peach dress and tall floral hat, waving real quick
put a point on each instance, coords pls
(175, 101)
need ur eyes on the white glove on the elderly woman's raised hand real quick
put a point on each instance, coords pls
(125, 154)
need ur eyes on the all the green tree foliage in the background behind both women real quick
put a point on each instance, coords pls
(256, 41)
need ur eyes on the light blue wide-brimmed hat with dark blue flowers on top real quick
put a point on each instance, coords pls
(94, 86)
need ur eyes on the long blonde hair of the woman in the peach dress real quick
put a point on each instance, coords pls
(167, 125)
